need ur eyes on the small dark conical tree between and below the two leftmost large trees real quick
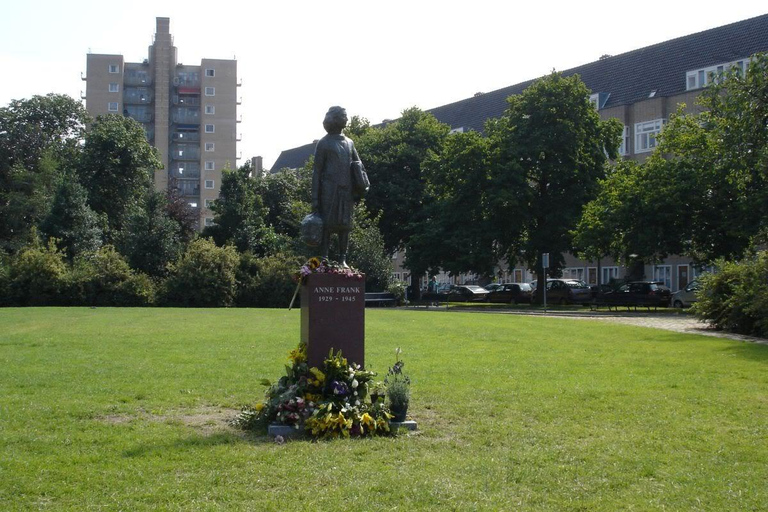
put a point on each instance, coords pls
(75, 228)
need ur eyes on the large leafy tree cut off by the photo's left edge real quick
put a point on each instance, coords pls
(39, 138)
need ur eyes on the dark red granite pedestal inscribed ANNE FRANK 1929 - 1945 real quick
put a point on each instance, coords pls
(333, 316)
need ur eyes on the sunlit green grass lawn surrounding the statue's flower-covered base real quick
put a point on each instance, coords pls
(126, 409)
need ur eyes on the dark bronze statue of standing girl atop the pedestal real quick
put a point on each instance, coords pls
(338, 178)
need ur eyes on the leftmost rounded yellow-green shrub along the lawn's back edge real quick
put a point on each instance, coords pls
(37, 275)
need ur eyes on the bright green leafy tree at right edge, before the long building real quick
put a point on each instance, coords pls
(704, 192)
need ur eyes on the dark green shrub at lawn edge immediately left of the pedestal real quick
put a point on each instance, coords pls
(266, 282)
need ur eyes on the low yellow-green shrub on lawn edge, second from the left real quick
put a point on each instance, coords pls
(104, 278)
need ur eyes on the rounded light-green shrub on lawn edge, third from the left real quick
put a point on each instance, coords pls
(204, 276)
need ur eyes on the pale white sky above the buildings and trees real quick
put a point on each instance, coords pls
(297, 58)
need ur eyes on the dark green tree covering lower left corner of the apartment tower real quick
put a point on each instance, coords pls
(117, 166)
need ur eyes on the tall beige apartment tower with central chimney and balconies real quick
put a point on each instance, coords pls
(189, 113)
